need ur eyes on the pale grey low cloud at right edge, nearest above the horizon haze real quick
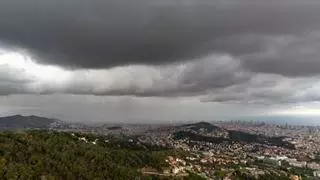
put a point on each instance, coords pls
(269, 89)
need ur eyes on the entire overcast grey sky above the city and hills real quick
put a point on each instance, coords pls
(159, 60)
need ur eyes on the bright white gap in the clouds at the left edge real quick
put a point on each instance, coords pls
(35, 71)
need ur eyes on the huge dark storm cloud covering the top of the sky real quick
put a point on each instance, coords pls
(103, 34)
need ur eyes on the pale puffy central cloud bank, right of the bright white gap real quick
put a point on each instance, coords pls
(190, 79)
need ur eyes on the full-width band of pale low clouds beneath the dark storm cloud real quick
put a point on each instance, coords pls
(220, 79)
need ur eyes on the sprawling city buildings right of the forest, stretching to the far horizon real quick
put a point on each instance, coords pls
(207, 158)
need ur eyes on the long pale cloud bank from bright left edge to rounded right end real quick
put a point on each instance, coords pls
(187, 79)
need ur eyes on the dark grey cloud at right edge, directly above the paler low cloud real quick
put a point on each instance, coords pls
(290, 56)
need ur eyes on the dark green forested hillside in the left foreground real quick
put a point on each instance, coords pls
(59, 155)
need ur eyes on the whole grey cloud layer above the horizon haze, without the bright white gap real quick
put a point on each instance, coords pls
(252, 51)
